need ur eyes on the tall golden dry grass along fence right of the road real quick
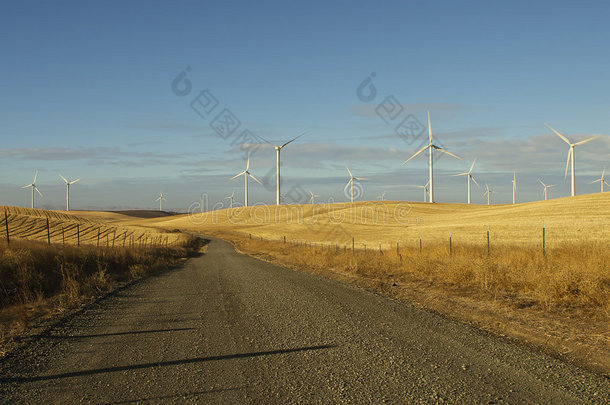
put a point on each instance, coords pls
(568, 277)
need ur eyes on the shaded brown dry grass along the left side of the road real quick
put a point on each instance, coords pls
(38, 279)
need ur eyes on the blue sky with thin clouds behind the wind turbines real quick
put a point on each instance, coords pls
(139, 97)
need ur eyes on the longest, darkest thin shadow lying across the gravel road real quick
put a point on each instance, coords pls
(160, 364)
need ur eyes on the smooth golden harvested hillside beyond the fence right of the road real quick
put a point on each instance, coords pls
(581, 219)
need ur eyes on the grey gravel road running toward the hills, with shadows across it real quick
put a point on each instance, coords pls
(226, 328)
